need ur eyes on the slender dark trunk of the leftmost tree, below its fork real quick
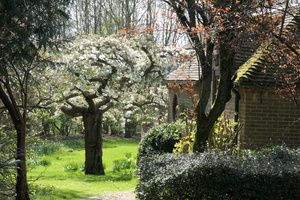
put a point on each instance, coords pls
(21, 185)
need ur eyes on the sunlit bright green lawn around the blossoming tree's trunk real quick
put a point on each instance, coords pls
(58, 175)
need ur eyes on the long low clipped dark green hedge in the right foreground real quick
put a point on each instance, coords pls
(268, 174)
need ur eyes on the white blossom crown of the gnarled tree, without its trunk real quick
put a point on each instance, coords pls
(108, 68)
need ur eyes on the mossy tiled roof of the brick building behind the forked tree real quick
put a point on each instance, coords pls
(248, 63)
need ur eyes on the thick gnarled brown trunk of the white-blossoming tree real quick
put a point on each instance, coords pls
(93, 143)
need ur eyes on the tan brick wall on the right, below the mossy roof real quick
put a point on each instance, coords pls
(267, 119)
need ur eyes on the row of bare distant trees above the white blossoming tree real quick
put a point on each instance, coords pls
(106, 17)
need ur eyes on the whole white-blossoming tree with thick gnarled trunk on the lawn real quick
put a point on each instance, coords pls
(98, 72)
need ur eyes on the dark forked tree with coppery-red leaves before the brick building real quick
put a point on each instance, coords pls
(218, 28)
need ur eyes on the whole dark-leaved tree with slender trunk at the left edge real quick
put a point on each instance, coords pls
(26, 26)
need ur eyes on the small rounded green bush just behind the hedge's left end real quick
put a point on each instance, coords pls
(160, 139)
